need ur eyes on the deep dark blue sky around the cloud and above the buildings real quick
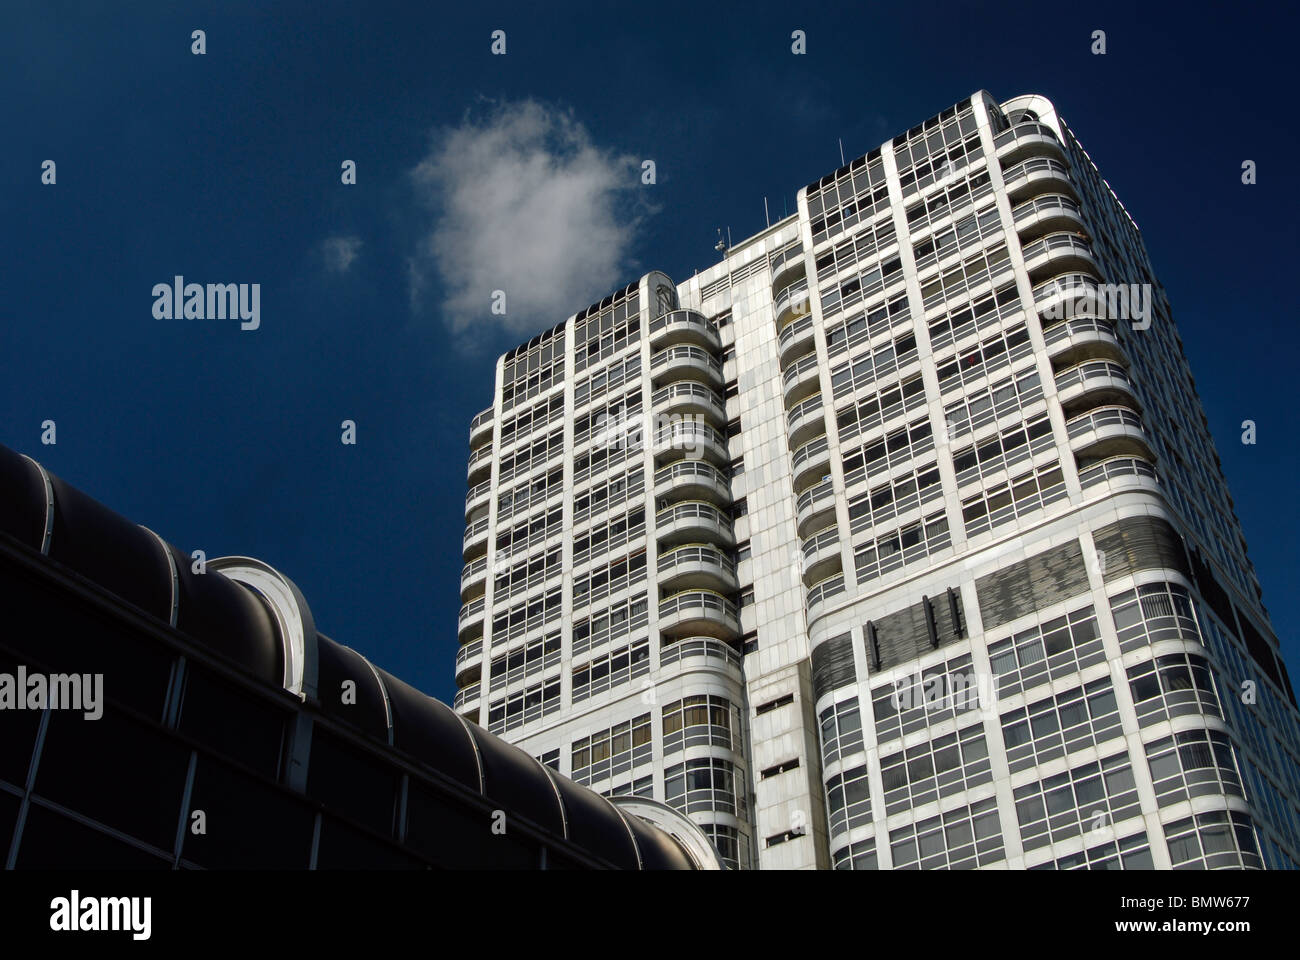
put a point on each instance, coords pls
(226, 168)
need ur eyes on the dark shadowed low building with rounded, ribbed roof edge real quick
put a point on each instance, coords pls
(232, 734)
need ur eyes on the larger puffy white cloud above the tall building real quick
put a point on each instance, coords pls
(523, 202)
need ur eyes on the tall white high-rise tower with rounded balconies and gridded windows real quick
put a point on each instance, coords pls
(918, 434)
